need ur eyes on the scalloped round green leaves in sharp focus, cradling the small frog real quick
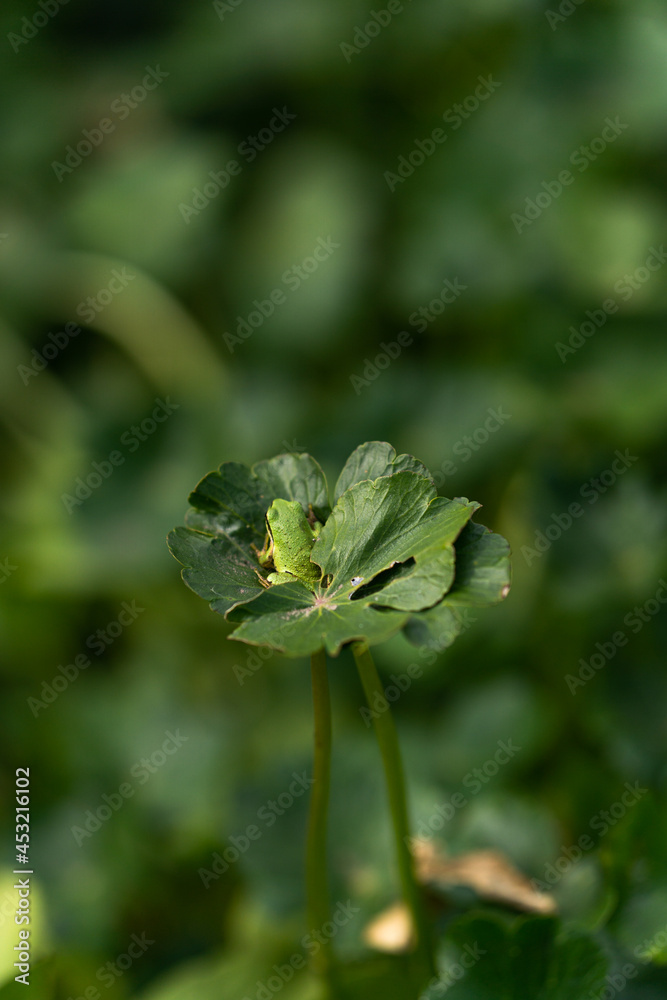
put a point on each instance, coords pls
(391, 554)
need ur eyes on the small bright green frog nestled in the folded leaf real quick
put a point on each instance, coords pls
(291, 536)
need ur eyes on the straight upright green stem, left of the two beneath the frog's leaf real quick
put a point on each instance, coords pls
(317, 885)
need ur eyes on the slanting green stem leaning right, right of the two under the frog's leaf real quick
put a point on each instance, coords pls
(387, 738)
